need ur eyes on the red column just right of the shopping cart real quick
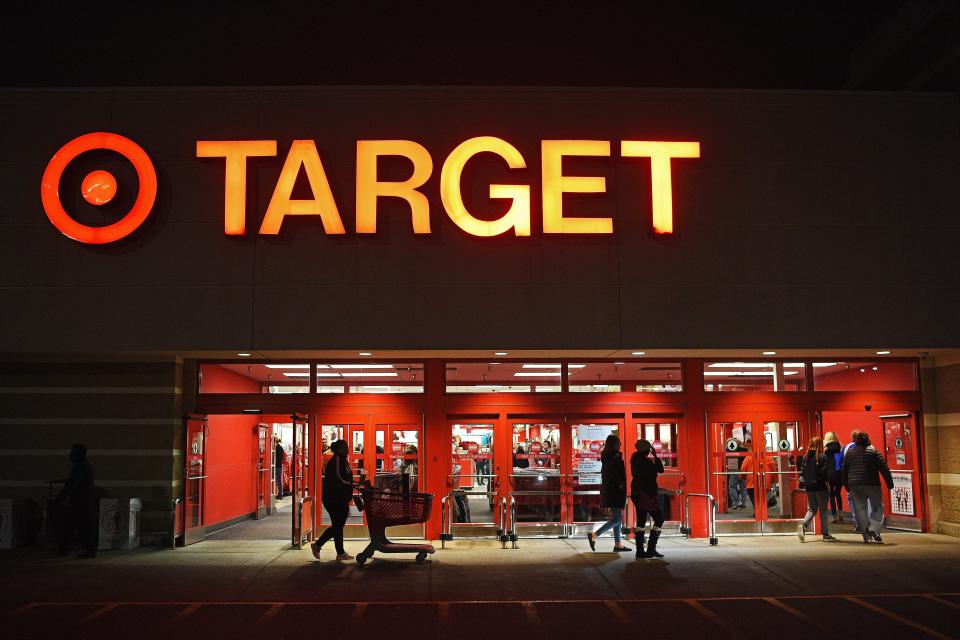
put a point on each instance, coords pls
(437, 441)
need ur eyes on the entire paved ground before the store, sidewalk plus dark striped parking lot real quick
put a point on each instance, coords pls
(743, 588)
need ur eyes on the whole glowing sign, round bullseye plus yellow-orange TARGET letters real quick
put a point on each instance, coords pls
(552, 181)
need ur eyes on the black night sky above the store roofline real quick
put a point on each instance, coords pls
(649, 44)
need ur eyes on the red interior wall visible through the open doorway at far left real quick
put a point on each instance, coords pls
(231, 451)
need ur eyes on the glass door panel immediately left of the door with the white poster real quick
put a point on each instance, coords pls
(535, 478)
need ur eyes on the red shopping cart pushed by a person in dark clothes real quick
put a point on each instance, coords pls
(390, 509)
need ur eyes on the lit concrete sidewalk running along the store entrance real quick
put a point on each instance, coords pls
(540, 570)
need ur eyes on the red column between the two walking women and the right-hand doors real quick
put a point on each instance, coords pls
(697, 443)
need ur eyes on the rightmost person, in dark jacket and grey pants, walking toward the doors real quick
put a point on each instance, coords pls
(862, 467)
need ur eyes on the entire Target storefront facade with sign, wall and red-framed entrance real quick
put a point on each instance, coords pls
(547, 267)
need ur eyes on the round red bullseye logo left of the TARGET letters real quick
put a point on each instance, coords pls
(98, 188)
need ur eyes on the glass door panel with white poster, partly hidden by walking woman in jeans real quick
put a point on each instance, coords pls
(587, 441)
